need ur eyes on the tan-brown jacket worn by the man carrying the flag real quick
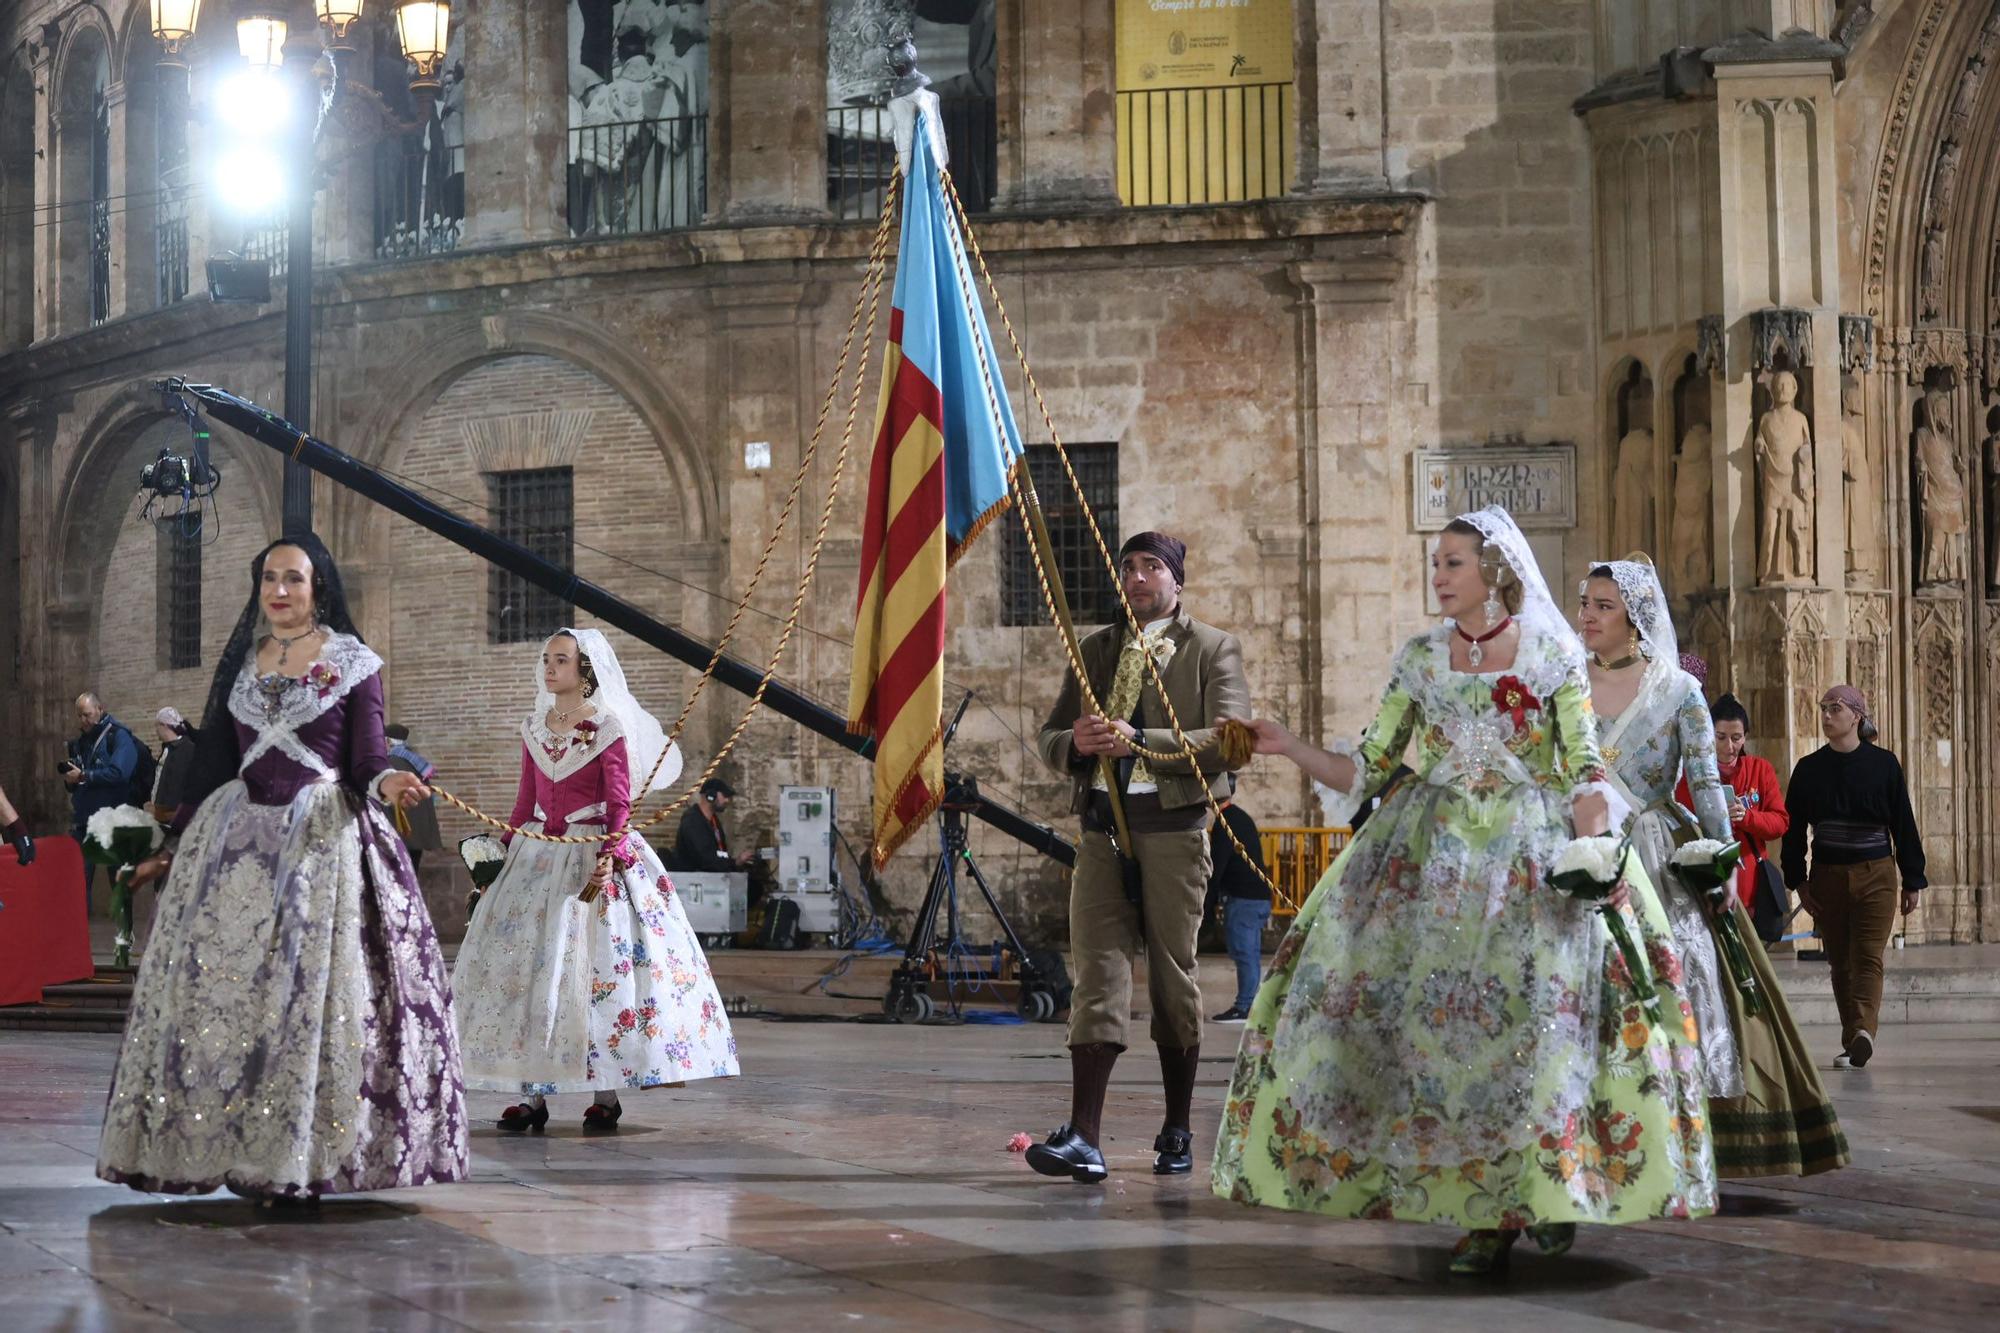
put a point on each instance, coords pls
(1205, 680)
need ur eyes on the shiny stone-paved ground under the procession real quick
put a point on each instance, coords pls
(857, 1178)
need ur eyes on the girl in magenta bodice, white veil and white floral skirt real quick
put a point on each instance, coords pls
(569, 994)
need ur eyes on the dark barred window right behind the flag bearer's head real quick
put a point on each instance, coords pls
(1089, 585)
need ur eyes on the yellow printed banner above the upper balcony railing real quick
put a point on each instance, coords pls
(1203, 43)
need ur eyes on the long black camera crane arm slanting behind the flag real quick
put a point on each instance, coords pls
(347, 471)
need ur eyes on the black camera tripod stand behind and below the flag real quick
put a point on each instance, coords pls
(909, 998)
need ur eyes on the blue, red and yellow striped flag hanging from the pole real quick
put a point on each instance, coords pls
(941, 473)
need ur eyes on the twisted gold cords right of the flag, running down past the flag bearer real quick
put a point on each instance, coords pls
(1021, 483)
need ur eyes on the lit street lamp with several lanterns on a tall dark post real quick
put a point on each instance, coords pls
(421, 31)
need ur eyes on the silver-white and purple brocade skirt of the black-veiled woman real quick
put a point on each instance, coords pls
(291, 1022)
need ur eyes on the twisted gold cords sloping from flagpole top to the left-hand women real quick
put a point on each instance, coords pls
(869, 299)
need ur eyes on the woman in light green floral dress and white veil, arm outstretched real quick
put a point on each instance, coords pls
(1445, 1038)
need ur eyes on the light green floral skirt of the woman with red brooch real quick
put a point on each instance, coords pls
(1445, 1038)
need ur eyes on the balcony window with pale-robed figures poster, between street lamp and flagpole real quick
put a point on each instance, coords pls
(639, 117)
